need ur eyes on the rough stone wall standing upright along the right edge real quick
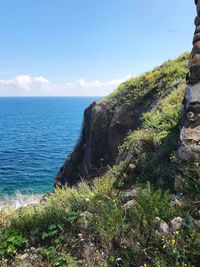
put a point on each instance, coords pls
(190, 132)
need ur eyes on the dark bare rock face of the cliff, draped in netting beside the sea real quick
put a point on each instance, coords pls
(103, 131)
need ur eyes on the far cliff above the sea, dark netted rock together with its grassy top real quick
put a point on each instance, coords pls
(107, 123)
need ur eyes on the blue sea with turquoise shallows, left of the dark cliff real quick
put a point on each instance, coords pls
(36, 135)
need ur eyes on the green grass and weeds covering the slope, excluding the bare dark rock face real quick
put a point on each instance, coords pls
(64, 237)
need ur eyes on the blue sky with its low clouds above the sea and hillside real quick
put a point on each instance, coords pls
(87, 47)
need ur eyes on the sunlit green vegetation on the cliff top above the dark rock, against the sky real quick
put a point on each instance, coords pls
(154, 82)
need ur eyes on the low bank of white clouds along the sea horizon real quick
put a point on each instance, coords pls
(25, 85)
